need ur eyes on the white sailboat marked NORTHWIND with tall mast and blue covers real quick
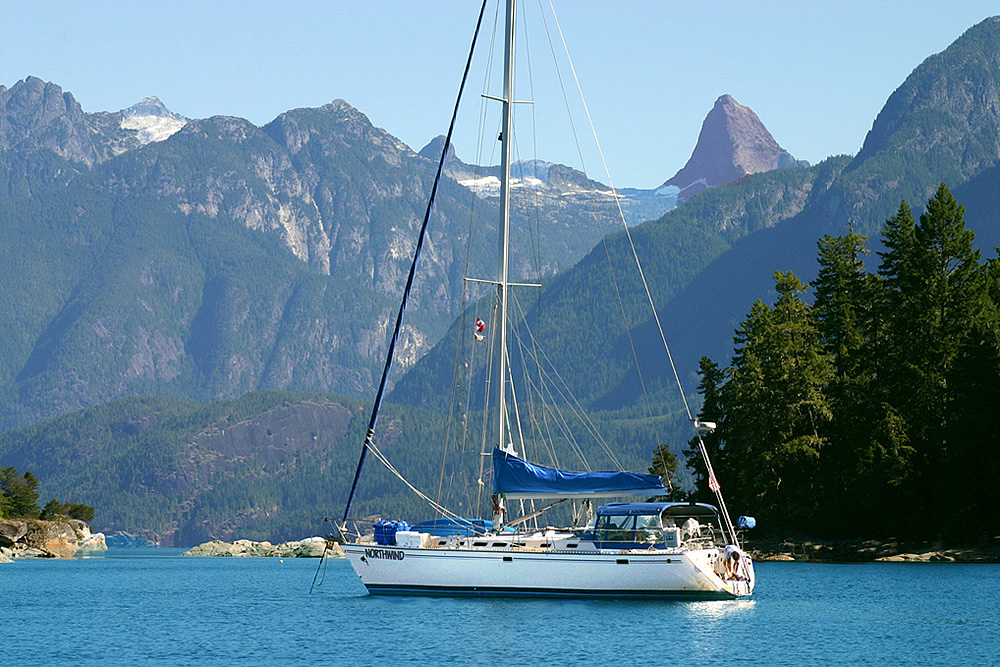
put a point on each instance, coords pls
(630, 548)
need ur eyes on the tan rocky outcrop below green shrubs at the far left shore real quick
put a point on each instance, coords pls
(34, 538)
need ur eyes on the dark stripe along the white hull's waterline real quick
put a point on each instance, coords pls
(499, 591)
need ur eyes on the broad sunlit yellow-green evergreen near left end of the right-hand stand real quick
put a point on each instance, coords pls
(777, 410)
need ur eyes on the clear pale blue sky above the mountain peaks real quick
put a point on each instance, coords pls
(816, 74)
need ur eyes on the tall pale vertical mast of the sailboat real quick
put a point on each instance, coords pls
(506, 125)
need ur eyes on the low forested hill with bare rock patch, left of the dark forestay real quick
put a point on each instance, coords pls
(222, 471)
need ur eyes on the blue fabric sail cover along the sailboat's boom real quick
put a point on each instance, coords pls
(516, 478)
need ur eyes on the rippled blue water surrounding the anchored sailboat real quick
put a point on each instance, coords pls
(136, 607)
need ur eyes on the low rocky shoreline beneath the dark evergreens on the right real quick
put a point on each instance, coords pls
(865, 551)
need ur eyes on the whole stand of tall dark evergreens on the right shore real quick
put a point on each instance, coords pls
(872, 410)
